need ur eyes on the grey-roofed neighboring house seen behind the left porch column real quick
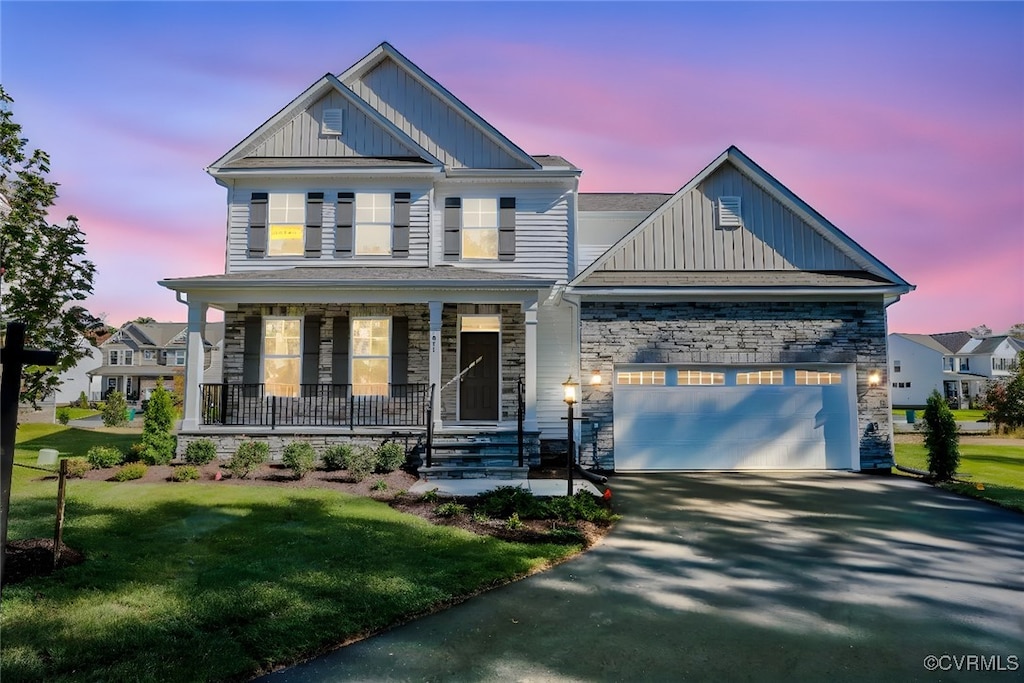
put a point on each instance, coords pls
(140, 355)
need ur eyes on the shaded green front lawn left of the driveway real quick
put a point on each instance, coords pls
(199, 582)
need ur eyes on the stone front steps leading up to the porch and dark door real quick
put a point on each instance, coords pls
(481, 454)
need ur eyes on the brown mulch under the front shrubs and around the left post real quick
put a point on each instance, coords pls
(34, 558)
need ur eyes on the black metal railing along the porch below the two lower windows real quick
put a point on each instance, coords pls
(316, 405)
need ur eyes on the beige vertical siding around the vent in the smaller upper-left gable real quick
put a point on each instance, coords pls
(361, 137)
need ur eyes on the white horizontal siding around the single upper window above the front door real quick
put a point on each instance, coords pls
(541, 231)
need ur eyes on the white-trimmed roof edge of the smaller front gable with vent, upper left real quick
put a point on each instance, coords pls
(239, 156)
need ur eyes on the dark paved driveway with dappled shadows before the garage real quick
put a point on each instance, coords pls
(740, 577)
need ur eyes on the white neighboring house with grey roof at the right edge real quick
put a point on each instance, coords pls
(955, 364)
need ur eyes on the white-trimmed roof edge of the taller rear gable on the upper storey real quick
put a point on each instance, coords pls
(353, 77)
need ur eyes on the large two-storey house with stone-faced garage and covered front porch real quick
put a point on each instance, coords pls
(393, 261)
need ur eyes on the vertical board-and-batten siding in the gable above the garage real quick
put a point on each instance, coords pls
(687, 237)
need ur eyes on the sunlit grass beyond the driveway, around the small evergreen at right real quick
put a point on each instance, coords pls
(999, 468)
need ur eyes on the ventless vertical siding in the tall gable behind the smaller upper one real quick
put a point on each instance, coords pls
(436, 126)
